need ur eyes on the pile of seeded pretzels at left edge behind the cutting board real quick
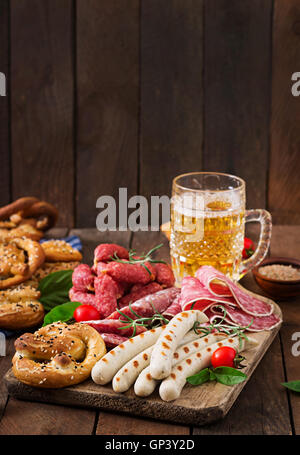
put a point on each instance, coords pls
(24, 261)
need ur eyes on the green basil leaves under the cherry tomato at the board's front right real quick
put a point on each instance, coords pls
(224, 375)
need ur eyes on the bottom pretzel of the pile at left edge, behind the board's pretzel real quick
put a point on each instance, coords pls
(20, 308)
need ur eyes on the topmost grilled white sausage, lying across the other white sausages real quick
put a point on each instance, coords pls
(161, 358)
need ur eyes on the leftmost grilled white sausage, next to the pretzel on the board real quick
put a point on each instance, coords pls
(105, 369)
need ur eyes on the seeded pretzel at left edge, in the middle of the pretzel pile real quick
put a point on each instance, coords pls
(19, 260)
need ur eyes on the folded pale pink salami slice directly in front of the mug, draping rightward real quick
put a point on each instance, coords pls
(220, 285)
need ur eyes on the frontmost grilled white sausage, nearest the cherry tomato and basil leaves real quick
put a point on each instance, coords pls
(171, 388)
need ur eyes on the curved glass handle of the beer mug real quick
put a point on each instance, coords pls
(265, 220)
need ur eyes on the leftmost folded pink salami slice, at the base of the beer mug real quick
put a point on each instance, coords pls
(195, 296)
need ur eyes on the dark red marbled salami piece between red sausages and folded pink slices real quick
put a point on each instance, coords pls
(147, 306)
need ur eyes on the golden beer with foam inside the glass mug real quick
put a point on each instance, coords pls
(213, 236)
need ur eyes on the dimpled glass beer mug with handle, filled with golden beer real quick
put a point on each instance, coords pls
(208, 225)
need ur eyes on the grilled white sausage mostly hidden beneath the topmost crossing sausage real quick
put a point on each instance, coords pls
(145, 384)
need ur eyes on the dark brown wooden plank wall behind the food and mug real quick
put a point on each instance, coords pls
(131, 93)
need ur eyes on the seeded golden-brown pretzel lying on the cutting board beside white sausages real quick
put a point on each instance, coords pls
(57, 355)
